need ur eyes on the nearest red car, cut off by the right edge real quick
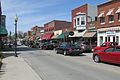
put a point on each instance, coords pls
(111, 55)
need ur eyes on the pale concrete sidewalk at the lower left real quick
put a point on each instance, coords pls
(17, 69)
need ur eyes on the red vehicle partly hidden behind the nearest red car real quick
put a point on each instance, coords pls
(104, 46)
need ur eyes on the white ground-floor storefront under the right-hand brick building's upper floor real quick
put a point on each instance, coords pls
(108, 35)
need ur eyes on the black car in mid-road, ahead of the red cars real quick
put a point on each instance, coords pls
(68, 49)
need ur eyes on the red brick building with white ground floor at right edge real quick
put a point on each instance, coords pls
(108, 28)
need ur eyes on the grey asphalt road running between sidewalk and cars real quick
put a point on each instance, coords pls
(51, 66)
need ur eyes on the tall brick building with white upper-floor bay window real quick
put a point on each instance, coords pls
(83, 23)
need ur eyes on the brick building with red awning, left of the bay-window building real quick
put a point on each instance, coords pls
(55, 28)
